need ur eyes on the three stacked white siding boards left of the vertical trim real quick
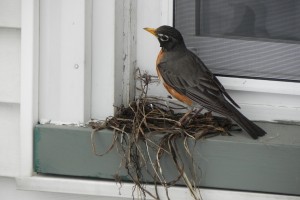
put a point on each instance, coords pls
(9, 86)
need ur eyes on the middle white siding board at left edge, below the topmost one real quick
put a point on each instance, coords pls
(10, 65)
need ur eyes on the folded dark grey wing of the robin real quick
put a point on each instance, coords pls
(188, 75)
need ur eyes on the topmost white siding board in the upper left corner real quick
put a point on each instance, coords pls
(10, 13)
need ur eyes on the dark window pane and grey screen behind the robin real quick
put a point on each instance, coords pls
(243, 38)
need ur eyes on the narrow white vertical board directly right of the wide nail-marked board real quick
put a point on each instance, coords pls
(103, 58)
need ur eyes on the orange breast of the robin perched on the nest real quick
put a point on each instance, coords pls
(173, 92)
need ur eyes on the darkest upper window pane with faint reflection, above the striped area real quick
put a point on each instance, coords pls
(274, 19)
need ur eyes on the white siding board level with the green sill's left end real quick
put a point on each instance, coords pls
(9, 139)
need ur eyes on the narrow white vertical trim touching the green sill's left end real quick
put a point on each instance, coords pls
(29, 83)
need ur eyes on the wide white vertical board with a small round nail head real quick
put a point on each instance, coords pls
(65, 60)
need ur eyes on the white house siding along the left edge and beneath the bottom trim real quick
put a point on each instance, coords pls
(10, 47)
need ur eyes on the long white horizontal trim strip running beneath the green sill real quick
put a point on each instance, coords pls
(111, 189)
